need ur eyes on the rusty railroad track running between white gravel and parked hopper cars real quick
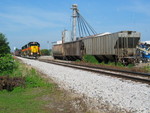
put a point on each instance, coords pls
(136, 76)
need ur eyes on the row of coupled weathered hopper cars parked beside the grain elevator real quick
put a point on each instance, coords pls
(120, 46)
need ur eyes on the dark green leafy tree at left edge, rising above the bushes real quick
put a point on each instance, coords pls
(4, 45)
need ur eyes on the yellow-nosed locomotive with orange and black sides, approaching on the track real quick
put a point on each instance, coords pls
(32, 50)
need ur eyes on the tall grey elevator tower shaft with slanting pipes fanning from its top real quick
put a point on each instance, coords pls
(74, 15)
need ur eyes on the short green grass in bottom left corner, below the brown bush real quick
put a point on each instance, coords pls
(23, 101)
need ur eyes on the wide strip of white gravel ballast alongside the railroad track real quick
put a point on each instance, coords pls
(115, 93)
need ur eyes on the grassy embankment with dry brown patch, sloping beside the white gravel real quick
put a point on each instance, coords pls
(37, 95)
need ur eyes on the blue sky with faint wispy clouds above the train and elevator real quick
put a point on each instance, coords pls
(23, 21)
